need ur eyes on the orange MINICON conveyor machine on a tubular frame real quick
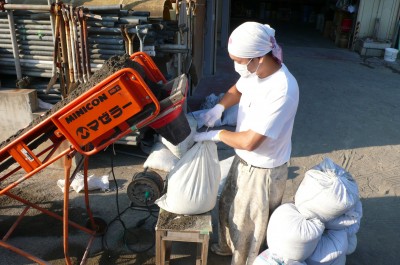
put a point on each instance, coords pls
(120, 104)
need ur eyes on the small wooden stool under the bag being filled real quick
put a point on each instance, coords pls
(184, 228)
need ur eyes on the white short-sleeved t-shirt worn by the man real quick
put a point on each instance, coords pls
(268, 106)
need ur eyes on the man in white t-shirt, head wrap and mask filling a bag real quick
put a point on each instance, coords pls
(268, 96)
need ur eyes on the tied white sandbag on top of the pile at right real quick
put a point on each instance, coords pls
(326, 192)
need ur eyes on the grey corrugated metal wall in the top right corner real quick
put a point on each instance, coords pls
(387, 11)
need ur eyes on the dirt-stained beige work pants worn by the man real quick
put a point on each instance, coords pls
(248, 198)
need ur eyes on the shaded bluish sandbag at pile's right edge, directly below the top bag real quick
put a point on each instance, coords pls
(349, 221)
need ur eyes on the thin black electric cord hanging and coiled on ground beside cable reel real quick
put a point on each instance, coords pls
(118, 218)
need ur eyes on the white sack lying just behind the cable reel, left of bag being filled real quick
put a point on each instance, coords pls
(160, 158)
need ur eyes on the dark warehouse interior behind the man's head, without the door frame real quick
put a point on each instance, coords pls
(332, 19)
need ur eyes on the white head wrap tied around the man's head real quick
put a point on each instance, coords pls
(252, 39)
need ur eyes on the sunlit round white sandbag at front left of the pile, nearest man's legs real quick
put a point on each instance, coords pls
(290, 235)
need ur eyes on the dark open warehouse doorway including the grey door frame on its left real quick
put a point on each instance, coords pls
(315, 21)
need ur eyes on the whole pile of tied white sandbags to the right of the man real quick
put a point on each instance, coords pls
(329, 196)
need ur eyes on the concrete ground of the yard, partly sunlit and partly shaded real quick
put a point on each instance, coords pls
(349, 111)
